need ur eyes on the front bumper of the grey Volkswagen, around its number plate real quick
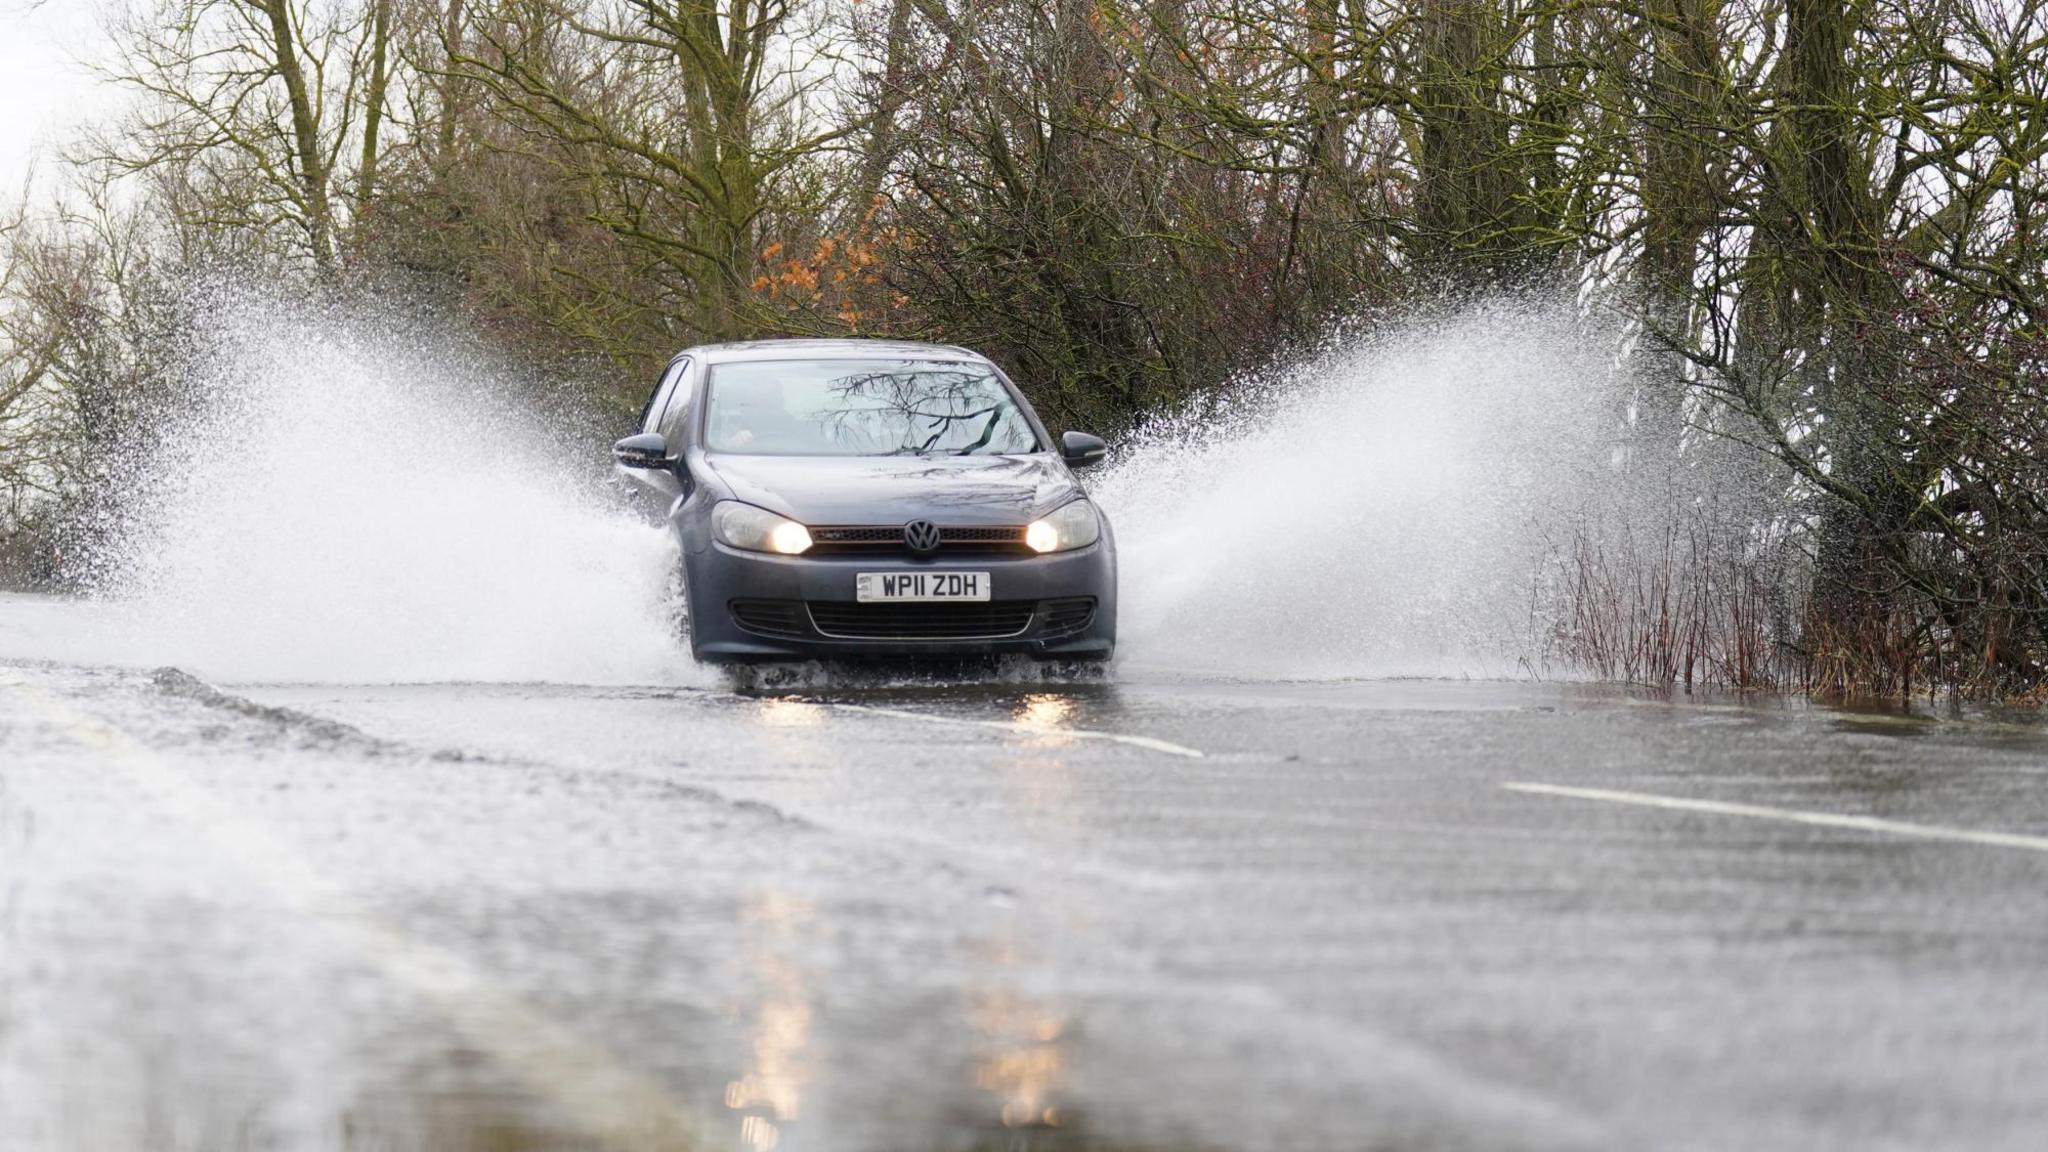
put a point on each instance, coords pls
(1035, 600)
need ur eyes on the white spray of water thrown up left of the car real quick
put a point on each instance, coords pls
(357, 497)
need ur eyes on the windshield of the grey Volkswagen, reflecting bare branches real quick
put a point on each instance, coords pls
(863, 409)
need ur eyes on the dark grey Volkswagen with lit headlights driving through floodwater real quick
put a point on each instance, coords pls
(871, 499)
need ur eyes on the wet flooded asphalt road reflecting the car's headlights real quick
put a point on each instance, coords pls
(1156, 911)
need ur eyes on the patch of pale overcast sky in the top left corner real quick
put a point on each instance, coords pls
(44, 87)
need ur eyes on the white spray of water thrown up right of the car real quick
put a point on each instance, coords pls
(1388, 507)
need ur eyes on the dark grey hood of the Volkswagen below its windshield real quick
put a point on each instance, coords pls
(894, 491)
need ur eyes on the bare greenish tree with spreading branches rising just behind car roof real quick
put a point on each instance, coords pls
(685, 118)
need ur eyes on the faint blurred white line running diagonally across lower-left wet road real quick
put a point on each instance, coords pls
(620, 1106)
